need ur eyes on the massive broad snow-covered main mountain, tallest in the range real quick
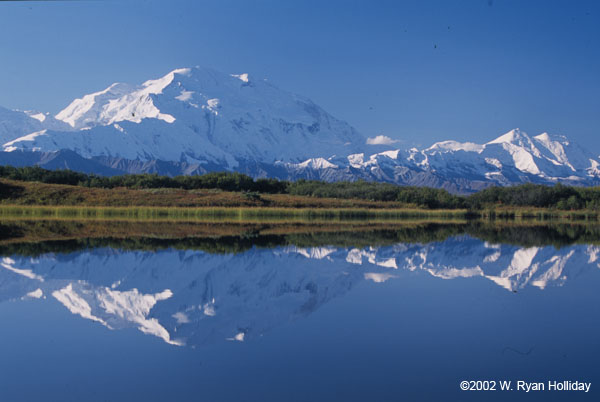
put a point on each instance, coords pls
(196, 115)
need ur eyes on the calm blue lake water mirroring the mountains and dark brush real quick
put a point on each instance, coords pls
(306, 319)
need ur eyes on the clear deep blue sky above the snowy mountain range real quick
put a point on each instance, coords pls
(419, 71)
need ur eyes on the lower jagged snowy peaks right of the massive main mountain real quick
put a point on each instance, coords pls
(512, 158)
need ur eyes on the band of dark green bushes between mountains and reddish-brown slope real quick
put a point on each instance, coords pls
(526, 195)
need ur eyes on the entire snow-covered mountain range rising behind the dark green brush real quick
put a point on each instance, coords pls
(197, 120)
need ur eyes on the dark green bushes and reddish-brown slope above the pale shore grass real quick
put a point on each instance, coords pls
(34, 186)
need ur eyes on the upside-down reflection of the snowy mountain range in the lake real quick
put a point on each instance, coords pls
(193, 297)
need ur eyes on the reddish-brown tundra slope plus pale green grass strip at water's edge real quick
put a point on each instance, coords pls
(26, 199)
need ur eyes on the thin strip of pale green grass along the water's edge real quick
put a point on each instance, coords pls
(277, 214)
